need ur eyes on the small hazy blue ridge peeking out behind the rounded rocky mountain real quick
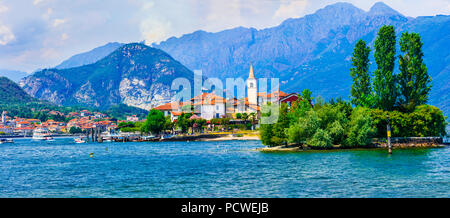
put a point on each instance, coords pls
(89, 57)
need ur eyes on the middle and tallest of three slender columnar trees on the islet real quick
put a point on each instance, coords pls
(384, 84)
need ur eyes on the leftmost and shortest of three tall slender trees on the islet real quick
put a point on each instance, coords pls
(361, 90)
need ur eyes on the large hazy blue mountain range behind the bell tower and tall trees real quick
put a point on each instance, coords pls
(314, 51)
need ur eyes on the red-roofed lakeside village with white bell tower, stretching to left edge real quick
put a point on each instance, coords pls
(208, 108)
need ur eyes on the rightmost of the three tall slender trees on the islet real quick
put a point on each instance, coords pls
(414, 81)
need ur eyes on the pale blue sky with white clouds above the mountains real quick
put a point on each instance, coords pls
(36, 34)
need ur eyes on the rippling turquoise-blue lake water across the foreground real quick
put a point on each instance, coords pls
(216, 169)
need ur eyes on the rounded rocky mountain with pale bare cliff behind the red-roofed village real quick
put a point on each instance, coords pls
(134, 74)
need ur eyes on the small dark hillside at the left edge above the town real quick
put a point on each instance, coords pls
(11, 92)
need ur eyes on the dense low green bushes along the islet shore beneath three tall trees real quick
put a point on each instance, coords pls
(338, 123)
